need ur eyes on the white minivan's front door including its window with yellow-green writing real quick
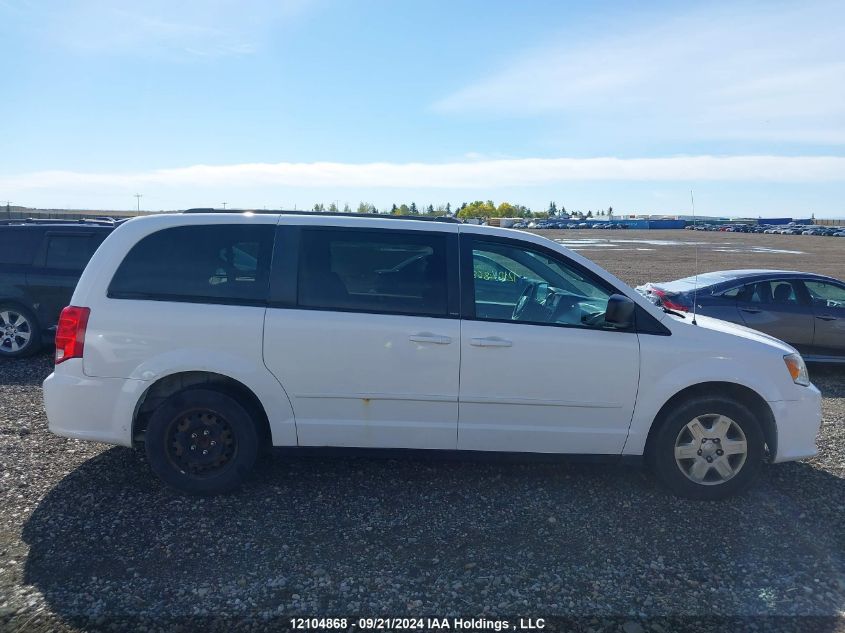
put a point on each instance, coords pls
(540, 371)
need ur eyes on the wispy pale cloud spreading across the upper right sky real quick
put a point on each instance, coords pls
(758, 72)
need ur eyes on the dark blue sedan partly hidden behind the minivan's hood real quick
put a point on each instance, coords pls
(803, 309)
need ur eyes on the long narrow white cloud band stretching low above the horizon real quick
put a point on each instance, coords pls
(491, 174)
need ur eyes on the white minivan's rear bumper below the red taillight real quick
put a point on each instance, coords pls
(88, 408)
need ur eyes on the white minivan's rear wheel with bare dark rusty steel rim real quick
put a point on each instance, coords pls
(201, 442)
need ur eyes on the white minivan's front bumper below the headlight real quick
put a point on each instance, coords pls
(798, 423)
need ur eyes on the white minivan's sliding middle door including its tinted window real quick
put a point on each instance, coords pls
(368, 349)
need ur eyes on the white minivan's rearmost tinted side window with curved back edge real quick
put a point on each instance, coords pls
(221, 263)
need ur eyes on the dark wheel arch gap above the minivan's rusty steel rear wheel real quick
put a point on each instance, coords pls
(167, 386)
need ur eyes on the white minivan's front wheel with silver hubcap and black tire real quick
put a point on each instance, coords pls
(708, 448)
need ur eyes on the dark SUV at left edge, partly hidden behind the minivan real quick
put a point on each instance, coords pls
(40, 263)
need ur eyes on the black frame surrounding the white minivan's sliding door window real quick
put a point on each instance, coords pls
(284, 274)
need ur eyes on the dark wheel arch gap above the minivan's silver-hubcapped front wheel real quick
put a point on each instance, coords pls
(742, 394)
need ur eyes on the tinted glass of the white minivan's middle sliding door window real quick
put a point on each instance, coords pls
(373, 271)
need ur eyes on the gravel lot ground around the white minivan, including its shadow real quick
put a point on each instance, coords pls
(88, 535)
